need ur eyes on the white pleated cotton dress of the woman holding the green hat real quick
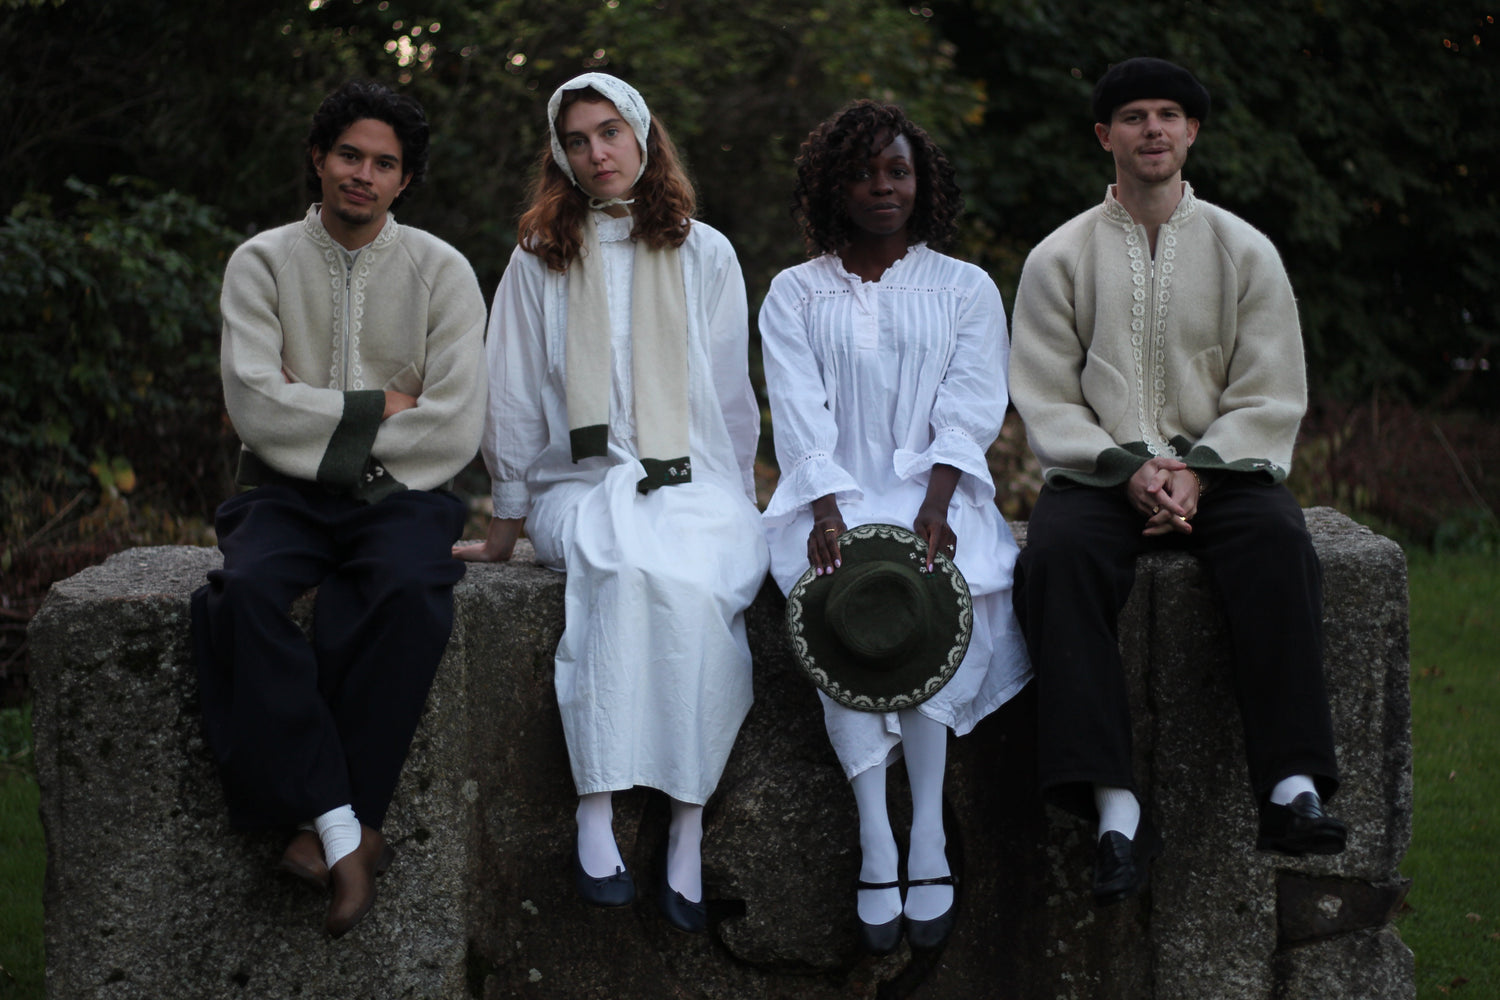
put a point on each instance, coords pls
(872, 385)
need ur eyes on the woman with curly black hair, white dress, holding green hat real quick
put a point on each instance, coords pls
(886, 365)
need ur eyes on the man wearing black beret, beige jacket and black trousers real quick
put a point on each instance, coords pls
(1157, 361)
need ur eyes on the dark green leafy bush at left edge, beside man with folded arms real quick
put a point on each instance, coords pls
(109, 347)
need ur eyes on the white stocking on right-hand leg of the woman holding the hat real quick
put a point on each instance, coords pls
(926, 746)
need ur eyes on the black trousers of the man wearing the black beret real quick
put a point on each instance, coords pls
(1072, 582)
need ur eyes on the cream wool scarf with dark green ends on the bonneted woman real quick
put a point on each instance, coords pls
(658, 359)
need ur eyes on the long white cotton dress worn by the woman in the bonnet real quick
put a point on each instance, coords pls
(653, 671)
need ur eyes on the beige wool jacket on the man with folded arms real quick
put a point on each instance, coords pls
(311, 344)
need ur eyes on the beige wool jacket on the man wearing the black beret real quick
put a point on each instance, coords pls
(1196, 355)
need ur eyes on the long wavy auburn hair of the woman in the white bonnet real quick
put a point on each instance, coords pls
(665, 202)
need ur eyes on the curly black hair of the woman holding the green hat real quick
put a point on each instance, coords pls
(842, 146)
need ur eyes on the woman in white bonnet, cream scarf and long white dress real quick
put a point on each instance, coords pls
(622, 436)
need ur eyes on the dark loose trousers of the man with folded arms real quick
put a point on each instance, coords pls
(299, 728)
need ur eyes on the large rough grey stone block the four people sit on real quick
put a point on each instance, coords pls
(152, 896)
